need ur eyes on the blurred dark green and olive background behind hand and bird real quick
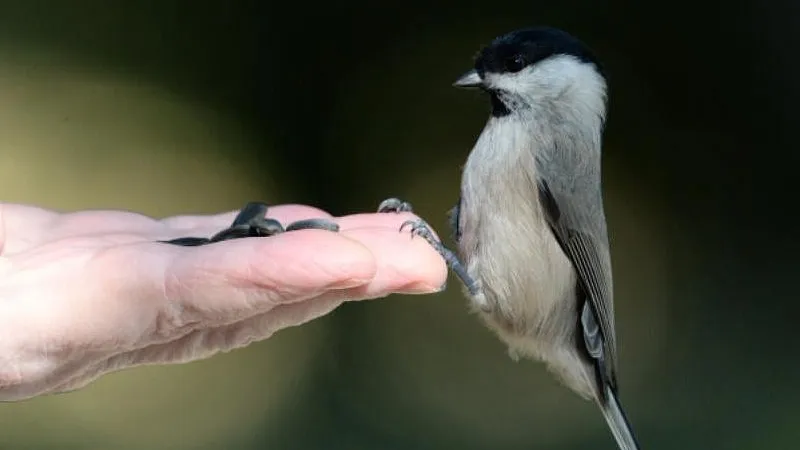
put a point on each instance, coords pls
(178, 107)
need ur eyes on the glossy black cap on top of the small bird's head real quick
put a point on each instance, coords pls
(514, 51)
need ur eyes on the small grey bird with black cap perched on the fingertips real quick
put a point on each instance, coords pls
(533, 250)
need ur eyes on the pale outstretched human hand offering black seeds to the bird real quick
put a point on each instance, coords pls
(88, 293)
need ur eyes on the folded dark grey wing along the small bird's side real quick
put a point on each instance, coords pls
(590, 259)
